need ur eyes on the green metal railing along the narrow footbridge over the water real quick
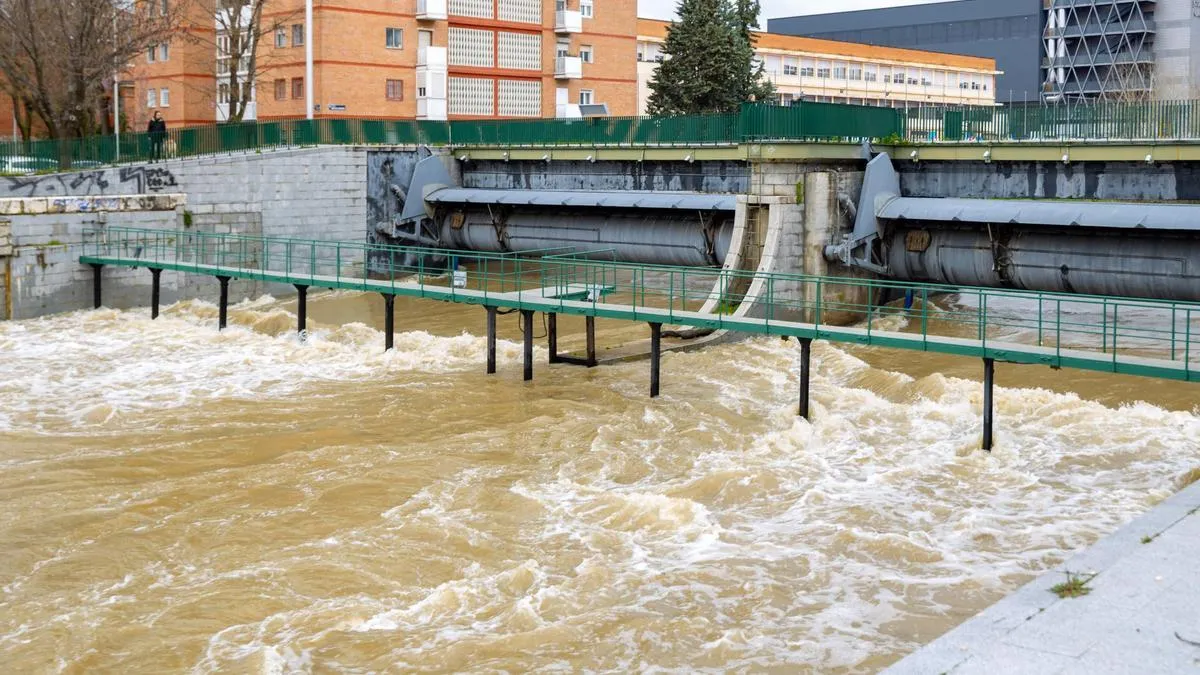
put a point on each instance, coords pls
(1159, 339)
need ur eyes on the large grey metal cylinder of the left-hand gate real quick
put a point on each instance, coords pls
(671, 238)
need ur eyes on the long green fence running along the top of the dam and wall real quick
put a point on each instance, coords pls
(802, 122)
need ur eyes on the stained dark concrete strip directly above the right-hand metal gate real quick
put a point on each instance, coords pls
(1133, 182)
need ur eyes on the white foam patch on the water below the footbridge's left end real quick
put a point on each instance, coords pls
(89, 369)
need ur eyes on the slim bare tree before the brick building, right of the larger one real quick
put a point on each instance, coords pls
(242, 27)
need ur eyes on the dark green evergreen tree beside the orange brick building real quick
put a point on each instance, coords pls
(709, 65)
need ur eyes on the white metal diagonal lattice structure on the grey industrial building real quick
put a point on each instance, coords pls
(1099, 50)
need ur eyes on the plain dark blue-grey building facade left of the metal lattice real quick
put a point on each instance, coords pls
(1007, 31)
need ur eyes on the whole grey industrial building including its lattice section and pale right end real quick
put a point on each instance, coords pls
(1049, 50)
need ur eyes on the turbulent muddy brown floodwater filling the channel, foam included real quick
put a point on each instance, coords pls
(179, 500)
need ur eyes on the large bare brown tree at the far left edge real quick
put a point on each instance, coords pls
(58, 56)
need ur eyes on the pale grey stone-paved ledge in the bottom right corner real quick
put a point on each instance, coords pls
(1034, 631)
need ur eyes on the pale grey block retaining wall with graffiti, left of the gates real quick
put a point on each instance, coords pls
(328, 194)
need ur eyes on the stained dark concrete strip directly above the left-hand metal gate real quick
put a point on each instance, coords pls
(700, 177)
